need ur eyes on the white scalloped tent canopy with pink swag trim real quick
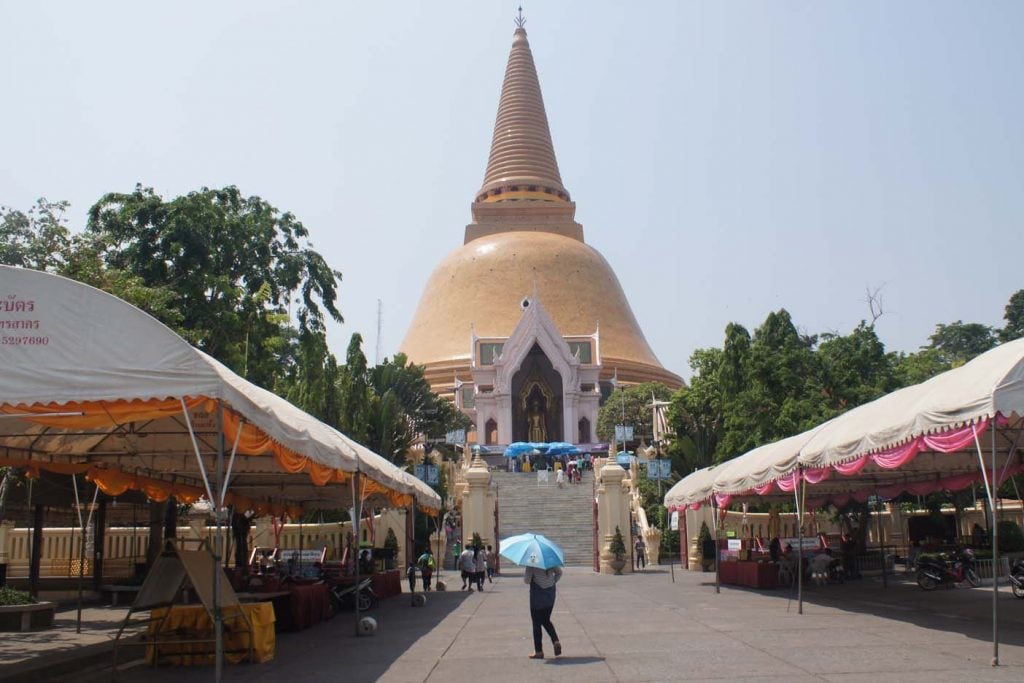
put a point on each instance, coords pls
(935, 418)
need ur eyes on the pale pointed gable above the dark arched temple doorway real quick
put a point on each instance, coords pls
(536, 327)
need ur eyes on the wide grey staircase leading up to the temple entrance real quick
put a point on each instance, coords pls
(565, 516)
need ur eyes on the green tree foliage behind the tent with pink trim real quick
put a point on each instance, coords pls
(779, 382)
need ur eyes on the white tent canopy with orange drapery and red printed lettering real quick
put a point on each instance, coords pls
(93, 385)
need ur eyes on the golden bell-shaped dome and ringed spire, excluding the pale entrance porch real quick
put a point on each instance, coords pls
(524, 242)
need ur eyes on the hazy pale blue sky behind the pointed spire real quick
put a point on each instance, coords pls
(728, 159)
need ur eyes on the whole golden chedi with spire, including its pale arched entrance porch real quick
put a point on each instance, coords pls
(526, 321)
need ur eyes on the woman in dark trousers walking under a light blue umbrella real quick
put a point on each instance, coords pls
(543, 561)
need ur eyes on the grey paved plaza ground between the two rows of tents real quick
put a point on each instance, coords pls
(647, 628)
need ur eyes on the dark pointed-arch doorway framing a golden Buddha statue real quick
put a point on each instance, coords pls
(537, 400)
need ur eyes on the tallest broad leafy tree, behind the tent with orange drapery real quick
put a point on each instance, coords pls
(235, 267)
